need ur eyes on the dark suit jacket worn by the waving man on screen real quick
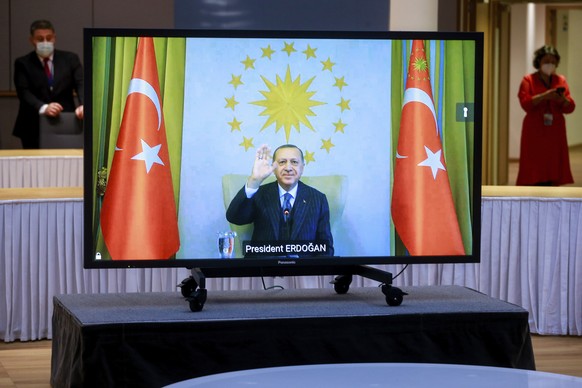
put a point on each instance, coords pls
(309, 216)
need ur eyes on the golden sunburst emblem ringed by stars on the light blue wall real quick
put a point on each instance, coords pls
(292, 95)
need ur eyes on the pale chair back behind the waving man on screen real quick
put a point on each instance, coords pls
(333, 186)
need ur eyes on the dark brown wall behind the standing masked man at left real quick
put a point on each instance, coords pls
(69, 17)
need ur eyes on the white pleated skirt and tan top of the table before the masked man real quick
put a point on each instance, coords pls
(41, 168)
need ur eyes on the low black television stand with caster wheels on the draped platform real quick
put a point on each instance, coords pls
(193, 288)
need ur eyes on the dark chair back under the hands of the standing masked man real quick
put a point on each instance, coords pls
(64, 131)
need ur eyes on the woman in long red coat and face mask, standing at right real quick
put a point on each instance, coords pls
(545, 97)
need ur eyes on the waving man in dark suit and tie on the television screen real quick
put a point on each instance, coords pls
(304, 217)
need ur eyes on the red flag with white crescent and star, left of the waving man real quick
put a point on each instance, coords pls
(138, 217)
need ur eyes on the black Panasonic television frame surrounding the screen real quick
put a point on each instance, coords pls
(216, 267)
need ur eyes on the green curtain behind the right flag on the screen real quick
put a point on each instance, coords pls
(452, 71)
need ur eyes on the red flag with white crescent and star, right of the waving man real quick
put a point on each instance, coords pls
(422, 204)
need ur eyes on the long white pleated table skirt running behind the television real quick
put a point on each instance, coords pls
(531, 256)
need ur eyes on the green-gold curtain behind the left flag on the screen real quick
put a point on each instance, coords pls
(112, 68)
